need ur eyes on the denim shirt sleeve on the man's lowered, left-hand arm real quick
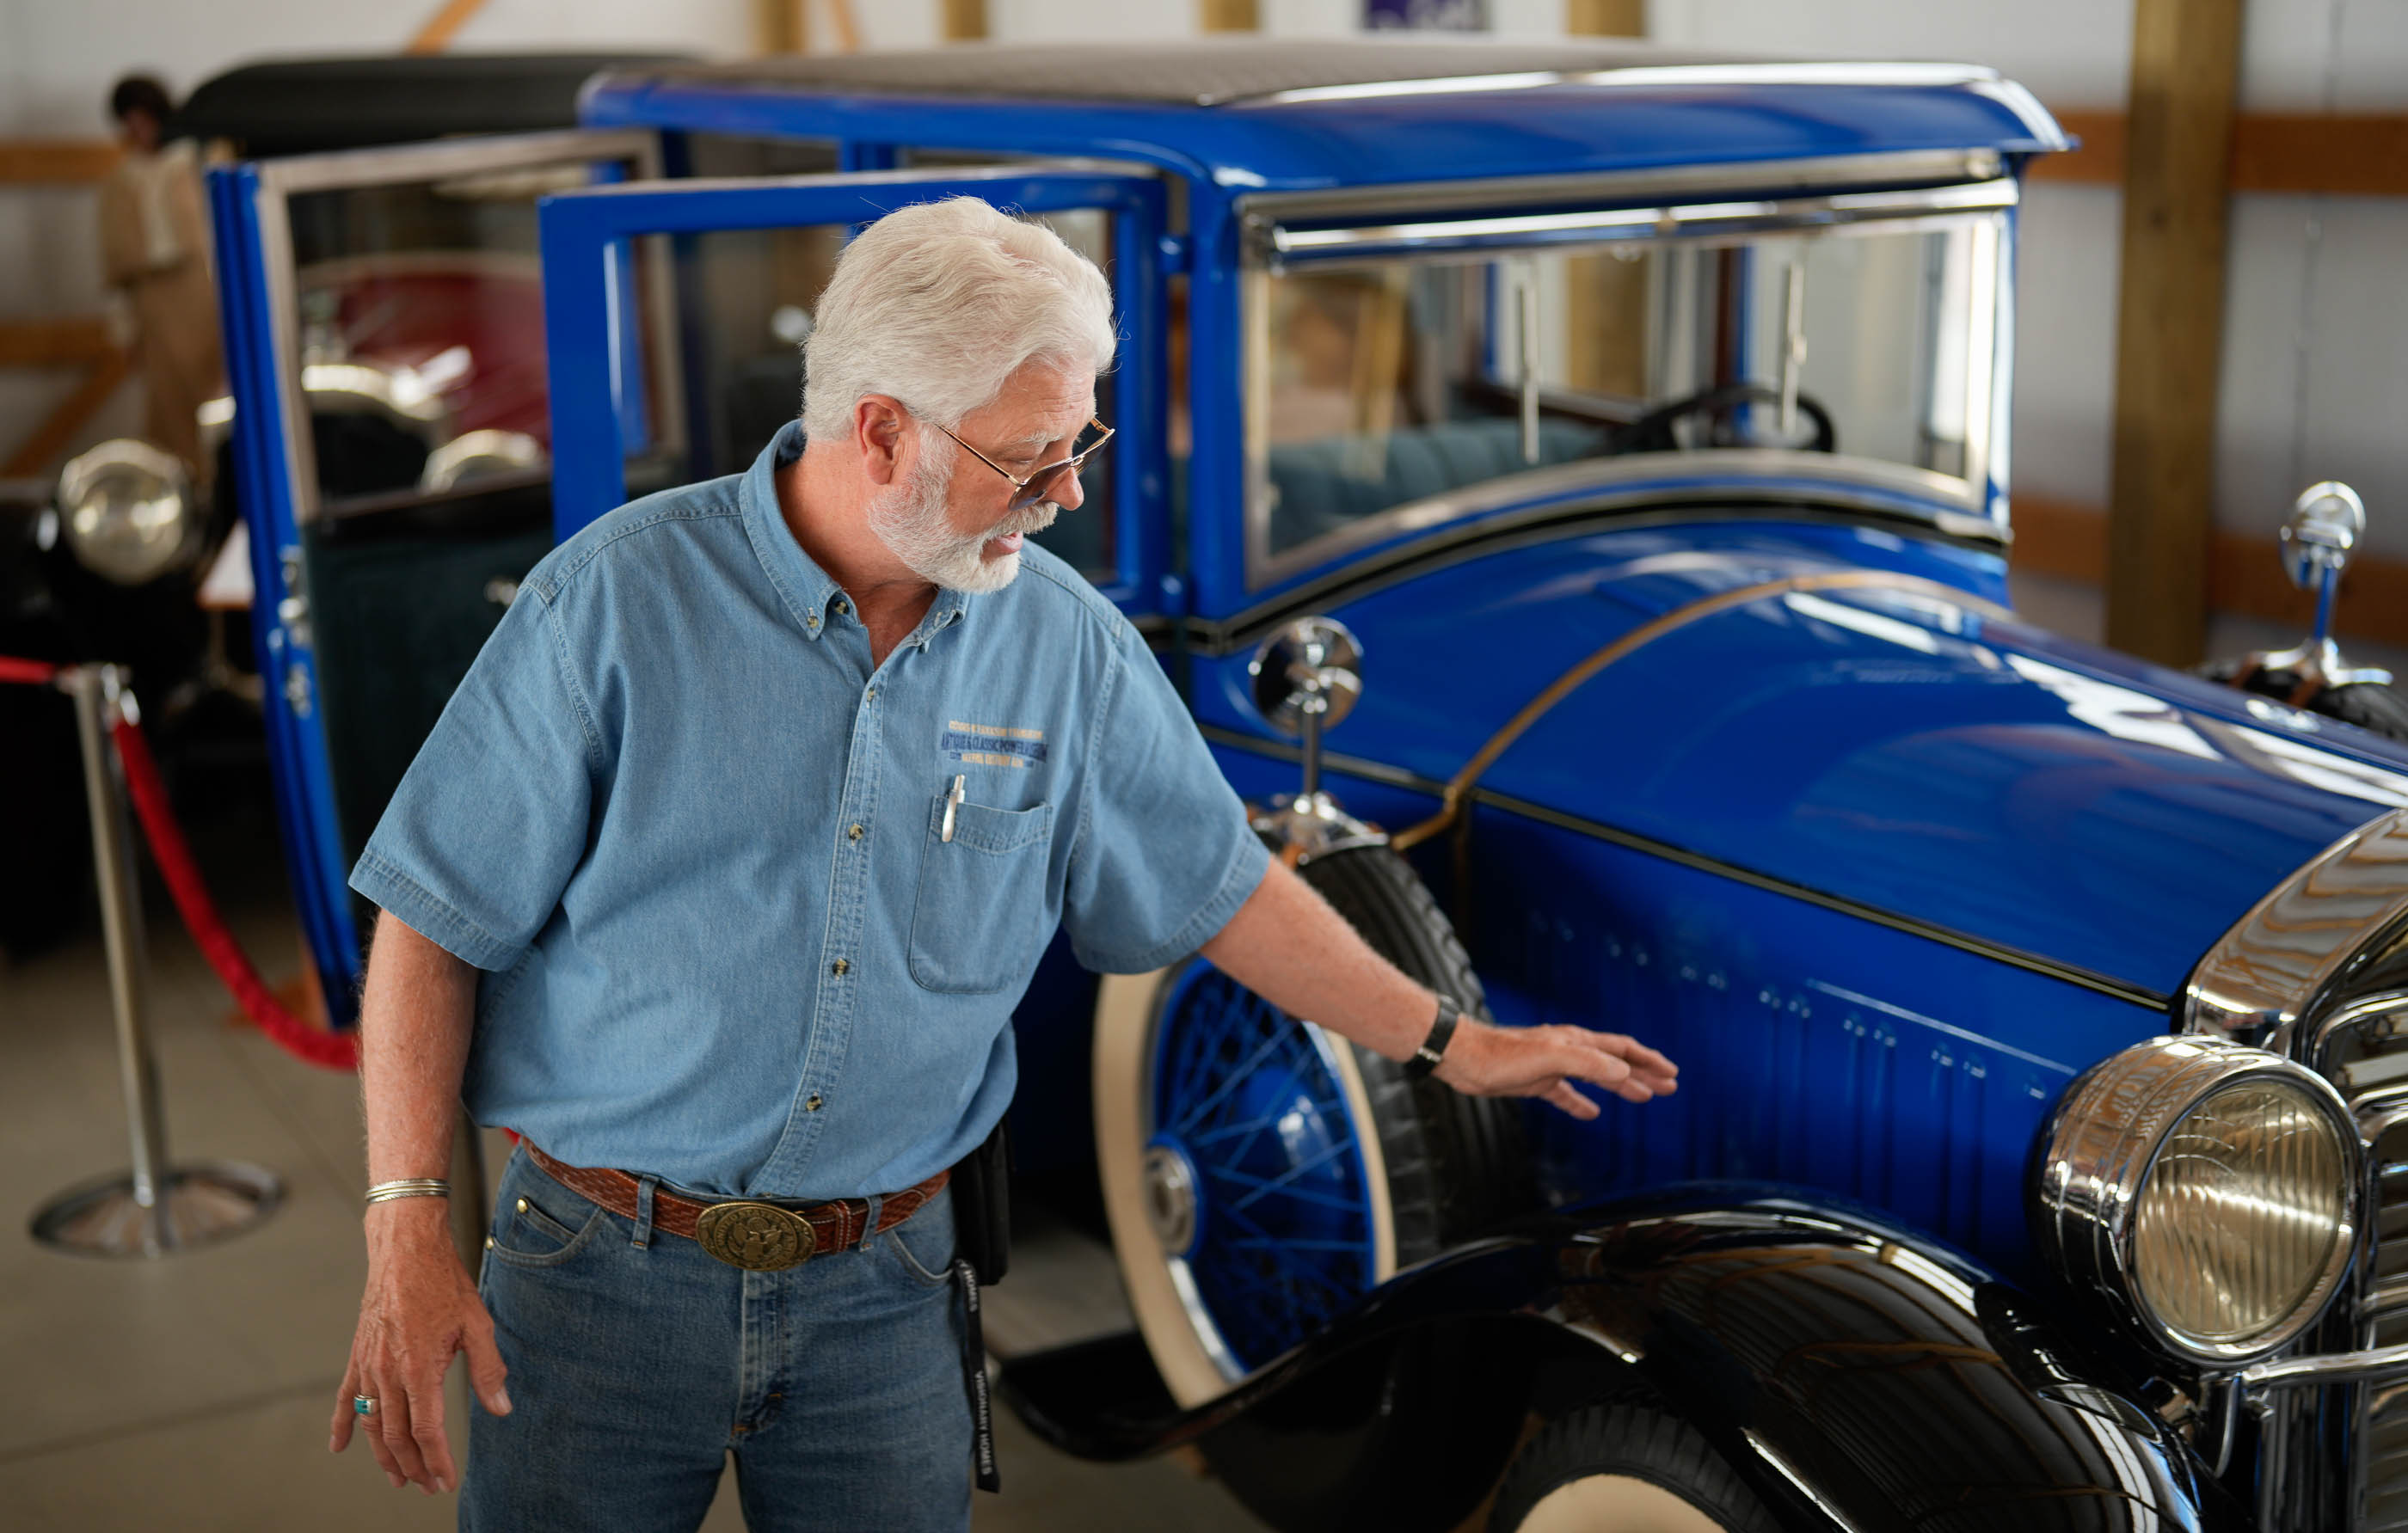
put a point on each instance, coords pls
(490, 822)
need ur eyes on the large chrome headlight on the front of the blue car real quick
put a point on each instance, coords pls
(2207, 1192)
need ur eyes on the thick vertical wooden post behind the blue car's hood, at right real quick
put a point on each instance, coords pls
(2185, 69)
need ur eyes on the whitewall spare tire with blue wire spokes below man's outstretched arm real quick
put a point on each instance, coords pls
(1265, 1176)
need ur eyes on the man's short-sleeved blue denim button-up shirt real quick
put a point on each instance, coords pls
(700, 846)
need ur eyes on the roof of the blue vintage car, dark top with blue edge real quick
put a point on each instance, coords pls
(1287, 114)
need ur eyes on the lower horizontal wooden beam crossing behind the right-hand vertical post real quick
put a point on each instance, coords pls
(2062, 540)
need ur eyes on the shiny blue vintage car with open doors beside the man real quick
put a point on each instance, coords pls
(1605, 449)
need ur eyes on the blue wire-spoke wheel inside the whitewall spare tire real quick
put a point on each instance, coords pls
(1263, 1176)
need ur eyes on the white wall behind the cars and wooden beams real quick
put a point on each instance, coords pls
(2315, 338)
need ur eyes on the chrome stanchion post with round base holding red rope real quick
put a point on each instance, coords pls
(155, 1207)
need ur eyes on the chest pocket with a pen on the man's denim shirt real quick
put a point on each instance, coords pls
(981, 911)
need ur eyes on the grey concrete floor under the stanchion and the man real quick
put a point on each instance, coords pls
(194, 1392)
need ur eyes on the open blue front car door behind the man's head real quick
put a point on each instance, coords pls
(748, 264)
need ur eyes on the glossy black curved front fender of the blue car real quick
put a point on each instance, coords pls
(1860, 1375)
